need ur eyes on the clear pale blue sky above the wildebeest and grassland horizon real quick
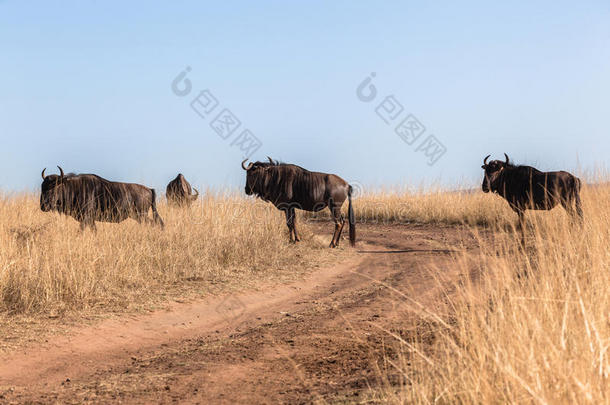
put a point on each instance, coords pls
(87, 85)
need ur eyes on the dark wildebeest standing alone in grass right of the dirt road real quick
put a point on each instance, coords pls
(526, 188)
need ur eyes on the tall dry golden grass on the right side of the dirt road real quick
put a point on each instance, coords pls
(527, 326)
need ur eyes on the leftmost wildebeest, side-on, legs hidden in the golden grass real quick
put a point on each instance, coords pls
(89, 198)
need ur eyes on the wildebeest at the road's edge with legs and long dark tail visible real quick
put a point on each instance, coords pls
(289, 187)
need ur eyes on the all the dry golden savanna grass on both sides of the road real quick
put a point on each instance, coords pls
(516, 325)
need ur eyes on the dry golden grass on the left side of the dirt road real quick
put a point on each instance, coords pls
(48, 267)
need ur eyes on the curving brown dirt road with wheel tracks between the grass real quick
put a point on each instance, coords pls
(316, 340)
